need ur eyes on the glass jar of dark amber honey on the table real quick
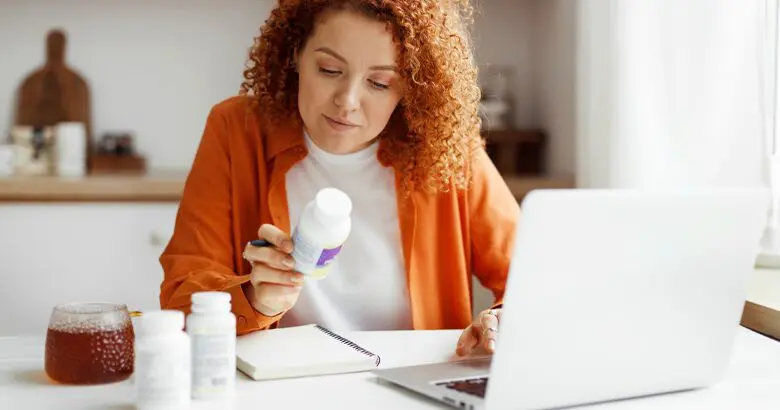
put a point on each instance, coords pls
(89, 343)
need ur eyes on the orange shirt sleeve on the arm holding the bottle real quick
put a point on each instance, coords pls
(200, 255)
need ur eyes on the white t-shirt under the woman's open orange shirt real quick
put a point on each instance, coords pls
(366, 288)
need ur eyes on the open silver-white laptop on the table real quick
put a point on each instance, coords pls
(612, 294)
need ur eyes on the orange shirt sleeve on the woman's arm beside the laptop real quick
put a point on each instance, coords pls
(493, 217)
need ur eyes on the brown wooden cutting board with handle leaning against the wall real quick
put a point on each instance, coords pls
(55, 93)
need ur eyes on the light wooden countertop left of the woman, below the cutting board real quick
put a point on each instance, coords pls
(161, 186)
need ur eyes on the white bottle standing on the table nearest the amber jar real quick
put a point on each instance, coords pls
(162, 362)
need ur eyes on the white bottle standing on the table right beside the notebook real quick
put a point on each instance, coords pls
(212, 329)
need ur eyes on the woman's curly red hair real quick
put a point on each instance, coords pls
(434, 132)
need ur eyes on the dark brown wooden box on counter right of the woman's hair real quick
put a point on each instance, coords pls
(517, 152)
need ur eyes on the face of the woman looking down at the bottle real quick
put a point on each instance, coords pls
(349, 81)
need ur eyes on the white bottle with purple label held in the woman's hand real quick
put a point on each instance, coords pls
(322, 229)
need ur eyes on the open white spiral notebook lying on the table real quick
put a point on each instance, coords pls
(300, 351)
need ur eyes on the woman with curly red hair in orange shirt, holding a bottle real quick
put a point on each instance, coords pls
(379, 99)
